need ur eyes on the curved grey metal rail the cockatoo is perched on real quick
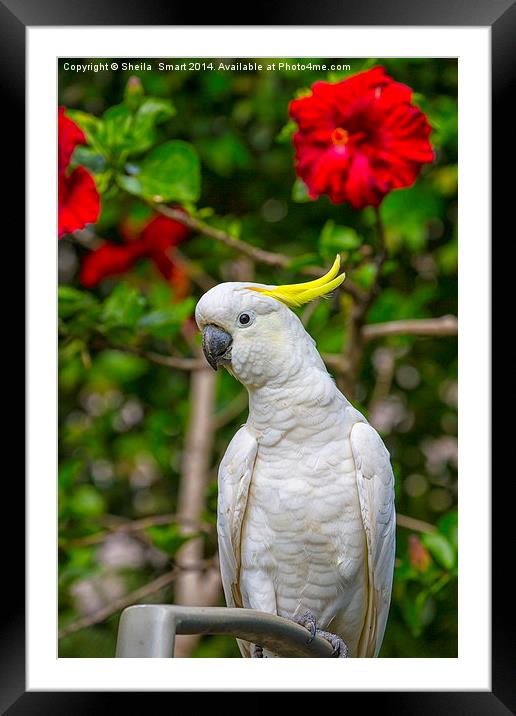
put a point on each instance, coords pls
(149, 630)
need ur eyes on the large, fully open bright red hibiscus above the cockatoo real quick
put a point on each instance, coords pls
(360, 138)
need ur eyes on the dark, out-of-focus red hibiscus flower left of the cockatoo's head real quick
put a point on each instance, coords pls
(155, 241)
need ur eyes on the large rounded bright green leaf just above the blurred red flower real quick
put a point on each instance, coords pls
(171, 172)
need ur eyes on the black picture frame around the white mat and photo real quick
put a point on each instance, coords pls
(500, 16)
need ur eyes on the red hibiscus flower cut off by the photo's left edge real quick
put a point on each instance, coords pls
(78, 199)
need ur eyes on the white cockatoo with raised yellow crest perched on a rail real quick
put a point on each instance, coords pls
(306, 520)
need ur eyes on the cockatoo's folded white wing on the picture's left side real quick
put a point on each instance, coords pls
(235, 474)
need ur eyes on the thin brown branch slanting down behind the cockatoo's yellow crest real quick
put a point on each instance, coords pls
(253, 252)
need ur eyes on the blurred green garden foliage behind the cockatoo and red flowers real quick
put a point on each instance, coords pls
(126, 418)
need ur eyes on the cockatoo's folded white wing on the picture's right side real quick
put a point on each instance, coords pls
(375, 482)
